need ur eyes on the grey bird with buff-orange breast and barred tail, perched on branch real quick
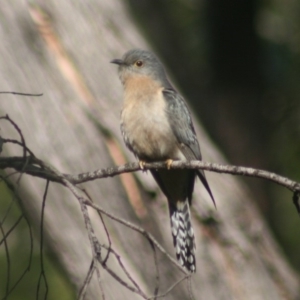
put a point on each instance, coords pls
(156, 125)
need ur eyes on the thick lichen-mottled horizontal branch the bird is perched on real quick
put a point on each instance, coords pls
(36, 167)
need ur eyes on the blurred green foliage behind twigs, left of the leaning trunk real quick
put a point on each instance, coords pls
(15, 258)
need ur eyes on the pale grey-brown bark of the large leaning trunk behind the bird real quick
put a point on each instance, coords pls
(74, 126)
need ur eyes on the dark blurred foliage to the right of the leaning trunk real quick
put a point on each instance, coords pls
(238, 64)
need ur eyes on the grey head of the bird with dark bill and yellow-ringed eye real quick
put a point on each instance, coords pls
(137, 62)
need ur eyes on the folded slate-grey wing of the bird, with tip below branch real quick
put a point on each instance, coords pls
(183, 128)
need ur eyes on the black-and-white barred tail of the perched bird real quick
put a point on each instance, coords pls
(183, 234)
